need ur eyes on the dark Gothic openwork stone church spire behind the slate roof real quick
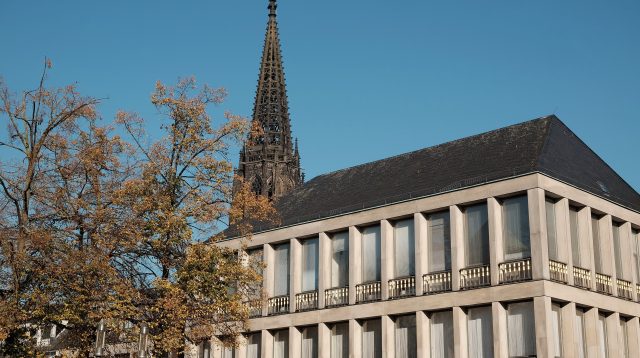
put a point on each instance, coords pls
(270, 159)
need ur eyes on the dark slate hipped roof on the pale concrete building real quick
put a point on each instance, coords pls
(544, 145)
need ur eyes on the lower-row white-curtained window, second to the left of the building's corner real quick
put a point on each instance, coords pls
(480, 332)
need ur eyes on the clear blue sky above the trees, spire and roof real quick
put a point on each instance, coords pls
(366, 79)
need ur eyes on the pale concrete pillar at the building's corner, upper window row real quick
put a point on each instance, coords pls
(538, 234)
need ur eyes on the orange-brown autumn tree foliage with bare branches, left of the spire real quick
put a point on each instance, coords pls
(100, 222)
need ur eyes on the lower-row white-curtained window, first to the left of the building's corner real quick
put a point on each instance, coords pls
(521, 329)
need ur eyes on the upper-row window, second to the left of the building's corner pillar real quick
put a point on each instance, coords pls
(476, 235)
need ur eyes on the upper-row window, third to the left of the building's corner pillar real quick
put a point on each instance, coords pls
(439, 236)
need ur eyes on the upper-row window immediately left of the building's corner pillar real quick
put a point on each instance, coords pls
(515, 222)
